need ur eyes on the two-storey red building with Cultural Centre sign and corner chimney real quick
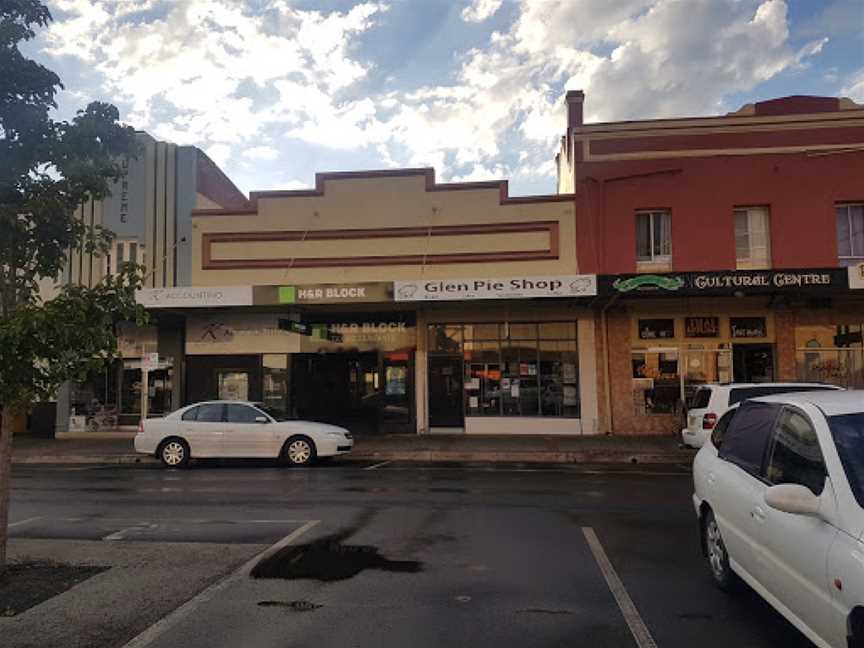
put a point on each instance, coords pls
(723, 241)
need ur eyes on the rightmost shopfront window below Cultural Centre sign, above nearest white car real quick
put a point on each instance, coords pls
(831, 354)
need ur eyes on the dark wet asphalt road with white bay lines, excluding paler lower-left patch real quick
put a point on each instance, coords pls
(413, 555)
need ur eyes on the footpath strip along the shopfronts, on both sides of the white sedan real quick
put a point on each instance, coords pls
(420, 448)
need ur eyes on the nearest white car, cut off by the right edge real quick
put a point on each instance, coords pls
(779, 493)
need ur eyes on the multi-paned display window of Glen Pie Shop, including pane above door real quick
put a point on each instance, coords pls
(514, 369)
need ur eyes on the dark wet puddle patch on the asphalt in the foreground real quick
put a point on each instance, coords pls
(328, 559)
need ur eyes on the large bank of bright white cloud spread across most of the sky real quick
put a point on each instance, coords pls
(215, 74)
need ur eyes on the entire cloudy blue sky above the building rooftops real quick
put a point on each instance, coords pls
(277, 90)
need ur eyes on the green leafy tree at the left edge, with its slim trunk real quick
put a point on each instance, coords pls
(47, 169)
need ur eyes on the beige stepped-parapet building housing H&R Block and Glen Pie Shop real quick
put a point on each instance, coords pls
(387, 302)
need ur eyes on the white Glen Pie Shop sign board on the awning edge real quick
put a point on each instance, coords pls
(496, 288)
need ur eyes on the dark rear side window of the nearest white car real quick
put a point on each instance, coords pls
(747, 436)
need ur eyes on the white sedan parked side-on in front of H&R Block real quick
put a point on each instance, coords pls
(237, 429)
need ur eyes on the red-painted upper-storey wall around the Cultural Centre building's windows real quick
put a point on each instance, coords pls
(800, 191)
